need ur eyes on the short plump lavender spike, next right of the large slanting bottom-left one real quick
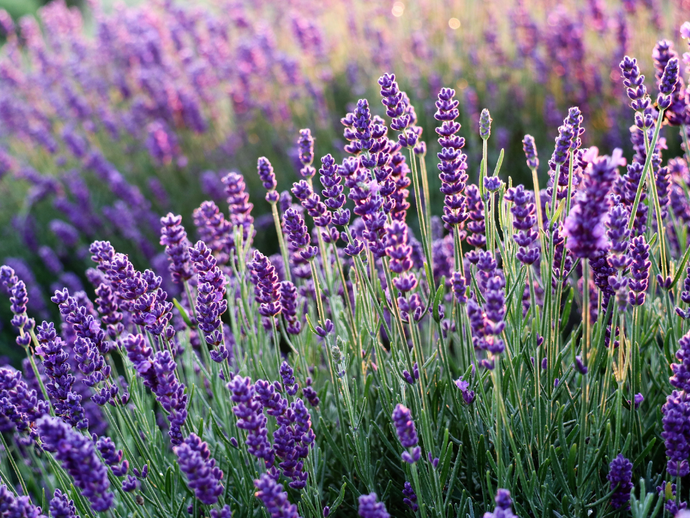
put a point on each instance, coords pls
(202, 474)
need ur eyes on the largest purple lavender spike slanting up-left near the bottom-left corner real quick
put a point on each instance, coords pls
(78, 457)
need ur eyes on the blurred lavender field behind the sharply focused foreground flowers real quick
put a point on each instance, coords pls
(114, 113)
